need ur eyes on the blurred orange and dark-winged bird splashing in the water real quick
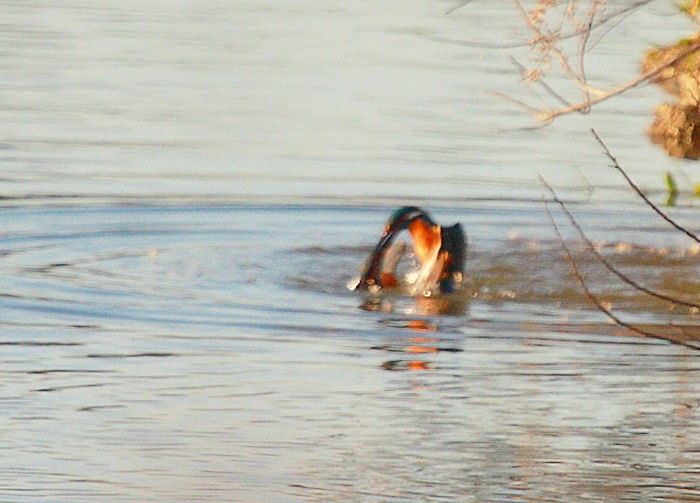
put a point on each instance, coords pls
(440, 250)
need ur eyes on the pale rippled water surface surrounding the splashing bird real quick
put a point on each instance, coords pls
(187, 189)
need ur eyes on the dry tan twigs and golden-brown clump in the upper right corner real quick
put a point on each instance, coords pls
(675, 68)
